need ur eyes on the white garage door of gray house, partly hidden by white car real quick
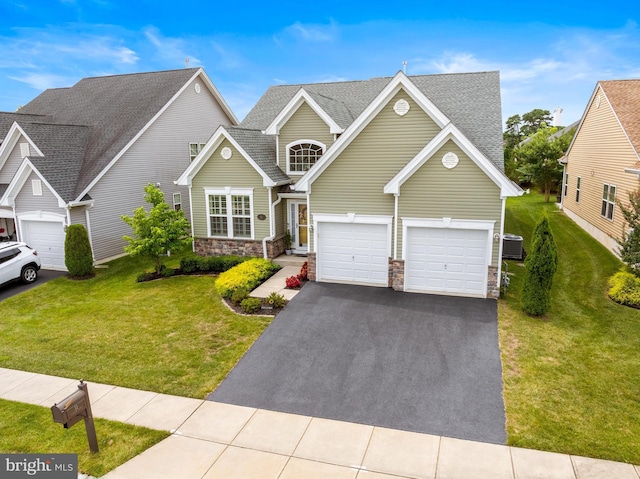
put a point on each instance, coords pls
(47, 238)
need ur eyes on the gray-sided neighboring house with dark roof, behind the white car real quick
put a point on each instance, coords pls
(84, 154)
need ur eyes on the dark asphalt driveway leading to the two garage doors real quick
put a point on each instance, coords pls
(416, 362)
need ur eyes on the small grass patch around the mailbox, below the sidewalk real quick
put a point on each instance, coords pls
(29, 429)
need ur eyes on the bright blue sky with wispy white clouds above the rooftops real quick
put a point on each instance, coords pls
(548, 54)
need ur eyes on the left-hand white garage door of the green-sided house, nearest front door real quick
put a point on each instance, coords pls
(353, 252)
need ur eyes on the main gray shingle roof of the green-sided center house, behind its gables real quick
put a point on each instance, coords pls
(470, 100)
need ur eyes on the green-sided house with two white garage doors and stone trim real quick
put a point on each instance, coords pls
(393, 182)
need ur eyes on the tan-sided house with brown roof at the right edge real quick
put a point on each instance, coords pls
(603, 161)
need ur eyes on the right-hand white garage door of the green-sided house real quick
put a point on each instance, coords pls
(443, 260)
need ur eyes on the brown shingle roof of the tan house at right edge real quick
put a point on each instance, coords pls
(624, 96)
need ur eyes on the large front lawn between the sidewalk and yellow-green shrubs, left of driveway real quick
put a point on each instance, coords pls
(171, 336)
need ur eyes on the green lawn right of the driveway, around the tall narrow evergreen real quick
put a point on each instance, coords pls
(572, 378)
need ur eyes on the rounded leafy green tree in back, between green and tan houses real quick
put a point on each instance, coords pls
(537, 159)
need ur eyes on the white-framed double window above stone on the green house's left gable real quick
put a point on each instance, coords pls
(230, 212)
